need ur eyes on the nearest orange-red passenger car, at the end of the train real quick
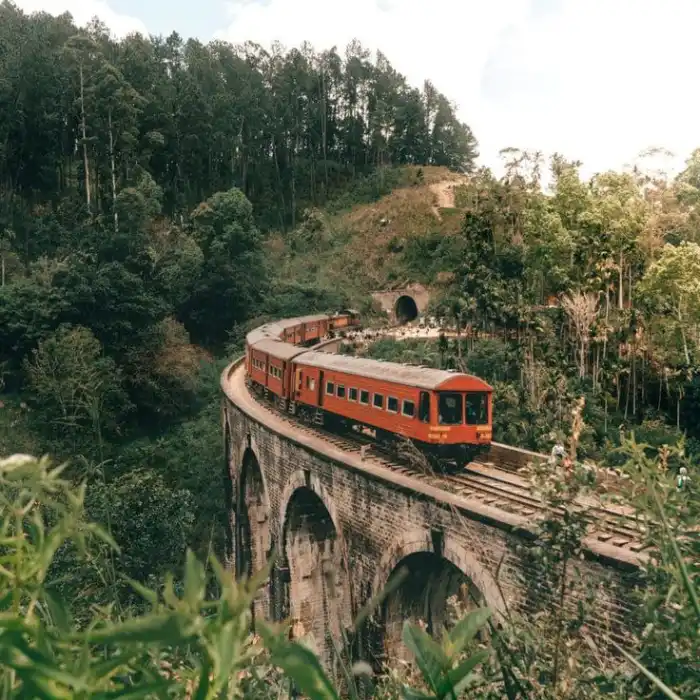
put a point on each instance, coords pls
(447, 413)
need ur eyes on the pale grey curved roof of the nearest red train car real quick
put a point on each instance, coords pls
(421, 377)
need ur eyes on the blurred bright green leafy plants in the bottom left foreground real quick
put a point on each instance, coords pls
(188, 643)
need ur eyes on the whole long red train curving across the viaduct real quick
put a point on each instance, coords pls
(447, 415)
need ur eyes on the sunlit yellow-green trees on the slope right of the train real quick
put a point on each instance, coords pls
(591, 288)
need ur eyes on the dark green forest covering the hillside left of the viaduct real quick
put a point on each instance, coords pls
(138, 180)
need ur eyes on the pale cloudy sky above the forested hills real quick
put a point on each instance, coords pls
(596, 80)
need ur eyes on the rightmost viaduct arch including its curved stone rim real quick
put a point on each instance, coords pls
(432, 577)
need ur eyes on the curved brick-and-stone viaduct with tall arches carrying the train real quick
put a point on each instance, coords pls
(342, 524)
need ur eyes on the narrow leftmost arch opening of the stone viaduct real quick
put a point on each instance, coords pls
(253, 533)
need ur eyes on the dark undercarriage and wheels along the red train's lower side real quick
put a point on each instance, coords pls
(439, 458)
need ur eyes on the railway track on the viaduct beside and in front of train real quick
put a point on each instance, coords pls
(484, 482)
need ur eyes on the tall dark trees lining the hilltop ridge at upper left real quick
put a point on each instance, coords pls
(202, 118)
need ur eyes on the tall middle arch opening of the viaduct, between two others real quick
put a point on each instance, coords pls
(314, 557)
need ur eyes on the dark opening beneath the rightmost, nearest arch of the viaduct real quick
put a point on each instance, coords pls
(434, 592)
